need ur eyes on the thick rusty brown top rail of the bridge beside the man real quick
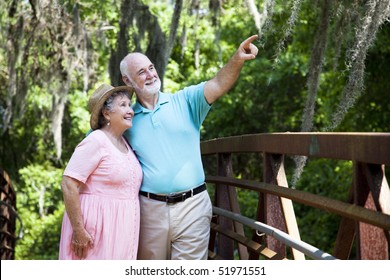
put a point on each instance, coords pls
(364, 147)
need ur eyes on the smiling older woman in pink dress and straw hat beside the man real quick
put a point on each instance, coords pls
(101, 184)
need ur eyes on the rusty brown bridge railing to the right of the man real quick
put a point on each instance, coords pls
(365, 215)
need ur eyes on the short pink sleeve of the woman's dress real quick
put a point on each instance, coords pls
(85, 158)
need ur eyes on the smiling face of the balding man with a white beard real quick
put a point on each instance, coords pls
(142, 75)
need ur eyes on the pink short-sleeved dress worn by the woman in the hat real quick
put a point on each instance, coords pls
(109, 199)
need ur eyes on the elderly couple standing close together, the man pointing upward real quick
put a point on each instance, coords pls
(134, 187)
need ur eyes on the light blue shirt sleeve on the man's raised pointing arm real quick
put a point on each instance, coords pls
(197, 102)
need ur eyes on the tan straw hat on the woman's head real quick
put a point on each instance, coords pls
(97, 99)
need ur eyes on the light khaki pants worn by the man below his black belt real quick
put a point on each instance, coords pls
(177, 231)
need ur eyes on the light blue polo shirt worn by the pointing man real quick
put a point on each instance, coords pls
(166, 140)
